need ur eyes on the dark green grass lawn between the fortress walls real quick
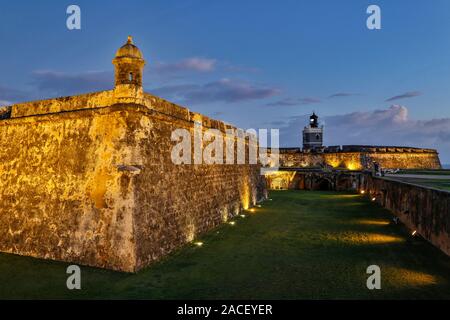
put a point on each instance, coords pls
(313, 245)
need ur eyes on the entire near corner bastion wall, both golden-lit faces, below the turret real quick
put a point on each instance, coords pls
(96, 185)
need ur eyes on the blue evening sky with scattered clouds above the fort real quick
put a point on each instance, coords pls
(255, 64)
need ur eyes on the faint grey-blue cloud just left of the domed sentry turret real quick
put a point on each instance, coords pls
(56, 83)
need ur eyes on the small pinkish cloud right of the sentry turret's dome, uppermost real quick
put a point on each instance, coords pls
(193, 64)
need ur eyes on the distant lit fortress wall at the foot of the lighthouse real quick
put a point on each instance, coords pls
(361, 157)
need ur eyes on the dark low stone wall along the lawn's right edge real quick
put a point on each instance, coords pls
(420, 208)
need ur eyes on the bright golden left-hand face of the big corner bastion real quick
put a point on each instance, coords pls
(62, 195)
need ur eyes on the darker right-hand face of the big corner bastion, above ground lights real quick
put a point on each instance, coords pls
(175, 203)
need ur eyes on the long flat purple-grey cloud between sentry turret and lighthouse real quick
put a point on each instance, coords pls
(224, 90)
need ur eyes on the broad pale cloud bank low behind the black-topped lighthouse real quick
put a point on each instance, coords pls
(391, 126)
